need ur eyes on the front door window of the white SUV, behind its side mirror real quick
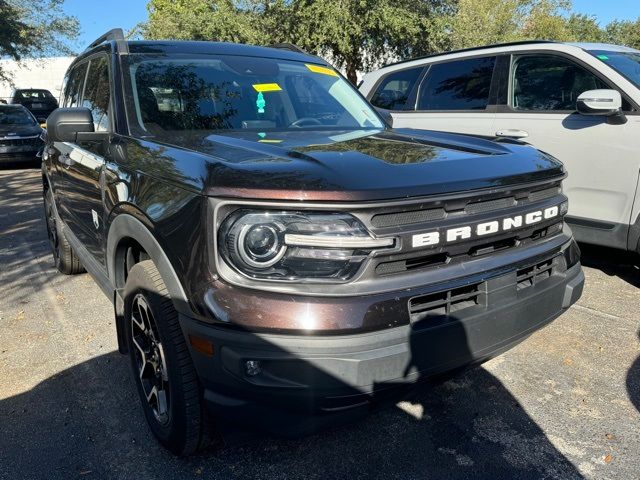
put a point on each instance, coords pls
(549, 83)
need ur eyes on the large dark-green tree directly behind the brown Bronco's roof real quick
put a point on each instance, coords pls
(355, 34)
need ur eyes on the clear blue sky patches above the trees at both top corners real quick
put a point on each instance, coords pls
(98, 16)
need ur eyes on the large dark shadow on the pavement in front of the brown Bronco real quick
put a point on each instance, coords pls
(86, 422)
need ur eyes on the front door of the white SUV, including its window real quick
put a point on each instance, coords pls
(601, 158)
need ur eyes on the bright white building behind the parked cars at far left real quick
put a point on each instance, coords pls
(47, 73)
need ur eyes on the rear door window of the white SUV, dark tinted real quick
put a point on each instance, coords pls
(457, 85)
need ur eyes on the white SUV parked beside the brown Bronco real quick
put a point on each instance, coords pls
(578, 102)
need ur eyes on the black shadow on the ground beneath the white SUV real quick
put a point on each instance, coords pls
(615, 263)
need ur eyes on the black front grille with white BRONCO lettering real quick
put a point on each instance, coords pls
(421, 217)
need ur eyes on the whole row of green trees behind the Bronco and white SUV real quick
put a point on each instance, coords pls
(358, 35)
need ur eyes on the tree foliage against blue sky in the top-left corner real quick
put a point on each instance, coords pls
(34, 28)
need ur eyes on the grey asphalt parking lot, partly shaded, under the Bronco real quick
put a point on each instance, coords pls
(564, 404)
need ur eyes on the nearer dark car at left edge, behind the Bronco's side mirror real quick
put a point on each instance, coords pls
(20, 136)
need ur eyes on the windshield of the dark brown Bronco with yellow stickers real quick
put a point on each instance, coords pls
(230, 93)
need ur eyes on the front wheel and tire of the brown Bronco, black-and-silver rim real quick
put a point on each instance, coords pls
(165, 377)
